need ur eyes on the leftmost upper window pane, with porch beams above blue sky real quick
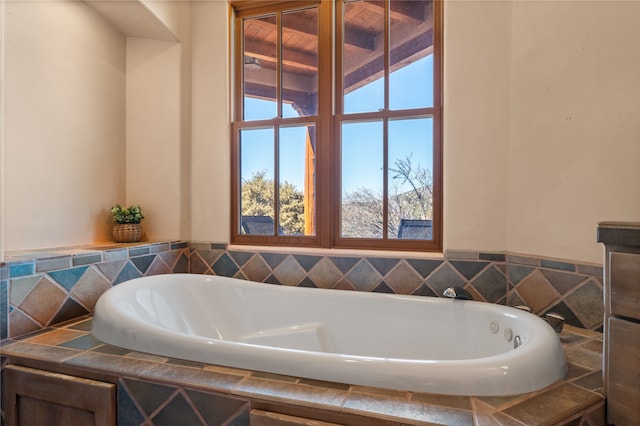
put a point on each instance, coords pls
(259, 75)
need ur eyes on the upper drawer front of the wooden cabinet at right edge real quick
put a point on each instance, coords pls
(625, 284)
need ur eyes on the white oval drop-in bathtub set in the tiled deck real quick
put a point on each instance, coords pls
(409, 343)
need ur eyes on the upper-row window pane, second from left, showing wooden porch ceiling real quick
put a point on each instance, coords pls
(300, 62)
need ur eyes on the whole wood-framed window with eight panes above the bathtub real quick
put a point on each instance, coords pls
(336, 136)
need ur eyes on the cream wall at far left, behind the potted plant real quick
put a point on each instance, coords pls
(63, 124)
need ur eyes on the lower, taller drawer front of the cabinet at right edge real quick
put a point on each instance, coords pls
(623, 381)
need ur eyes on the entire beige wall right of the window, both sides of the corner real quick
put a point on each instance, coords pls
(554, 110)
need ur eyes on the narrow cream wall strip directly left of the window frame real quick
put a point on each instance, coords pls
(211, 151)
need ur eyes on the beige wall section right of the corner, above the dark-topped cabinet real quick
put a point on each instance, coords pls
(574, 157)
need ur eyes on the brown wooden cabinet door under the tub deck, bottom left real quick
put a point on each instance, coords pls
(41, 398)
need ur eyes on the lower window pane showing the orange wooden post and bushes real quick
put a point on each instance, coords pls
(297, 181)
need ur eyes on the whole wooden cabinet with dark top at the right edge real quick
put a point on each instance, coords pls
(621, 367)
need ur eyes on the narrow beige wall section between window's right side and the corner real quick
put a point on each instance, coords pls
(477, 57)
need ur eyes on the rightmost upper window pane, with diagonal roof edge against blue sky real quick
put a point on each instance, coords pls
(411, 54)
